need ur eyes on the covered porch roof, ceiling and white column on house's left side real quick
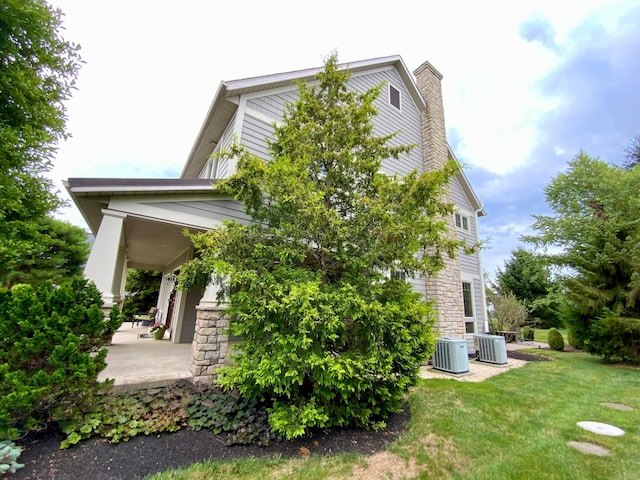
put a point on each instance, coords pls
(141, 223)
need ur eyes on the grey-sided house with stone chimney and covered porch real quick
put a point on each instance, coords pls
(139, 223)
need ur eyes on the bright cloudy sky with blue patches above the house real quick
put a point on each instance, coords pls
(527, 84)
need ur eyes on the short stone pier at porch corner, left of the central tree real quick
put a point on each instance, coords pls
(210, 342)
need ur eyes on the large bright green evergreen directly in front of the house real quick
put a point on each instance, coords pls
(330, 336)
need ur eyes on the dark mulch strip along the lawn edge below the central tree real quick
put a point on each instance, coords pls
(96, 459)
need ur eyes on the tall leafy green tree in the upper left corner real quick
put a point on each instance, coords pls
(38, 69)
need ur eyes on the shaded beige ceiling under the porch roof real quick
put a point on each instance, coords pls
(151, 245)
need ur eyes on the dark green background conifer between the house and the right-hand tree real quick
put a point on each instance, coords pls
(526, 276)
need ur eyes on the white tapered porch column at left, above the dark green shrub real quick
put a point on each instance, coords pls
(107, 260)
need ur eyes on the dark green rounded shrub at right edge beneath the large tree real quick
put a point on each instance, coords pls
(615, 338)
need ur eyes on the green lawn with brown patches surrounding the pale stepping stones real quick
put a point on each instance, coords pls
(514, 425)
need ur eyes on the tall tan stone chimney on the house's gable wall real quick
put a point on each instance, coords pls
(446, 288)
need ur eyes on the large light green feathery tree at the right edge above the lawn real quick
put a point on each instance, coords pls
(594, 235)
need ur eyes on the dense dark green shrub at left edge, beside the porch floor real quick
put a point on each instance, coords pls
(51, 351)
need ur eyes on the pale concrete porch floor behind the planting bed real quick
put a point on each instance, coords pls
(134, 361)
